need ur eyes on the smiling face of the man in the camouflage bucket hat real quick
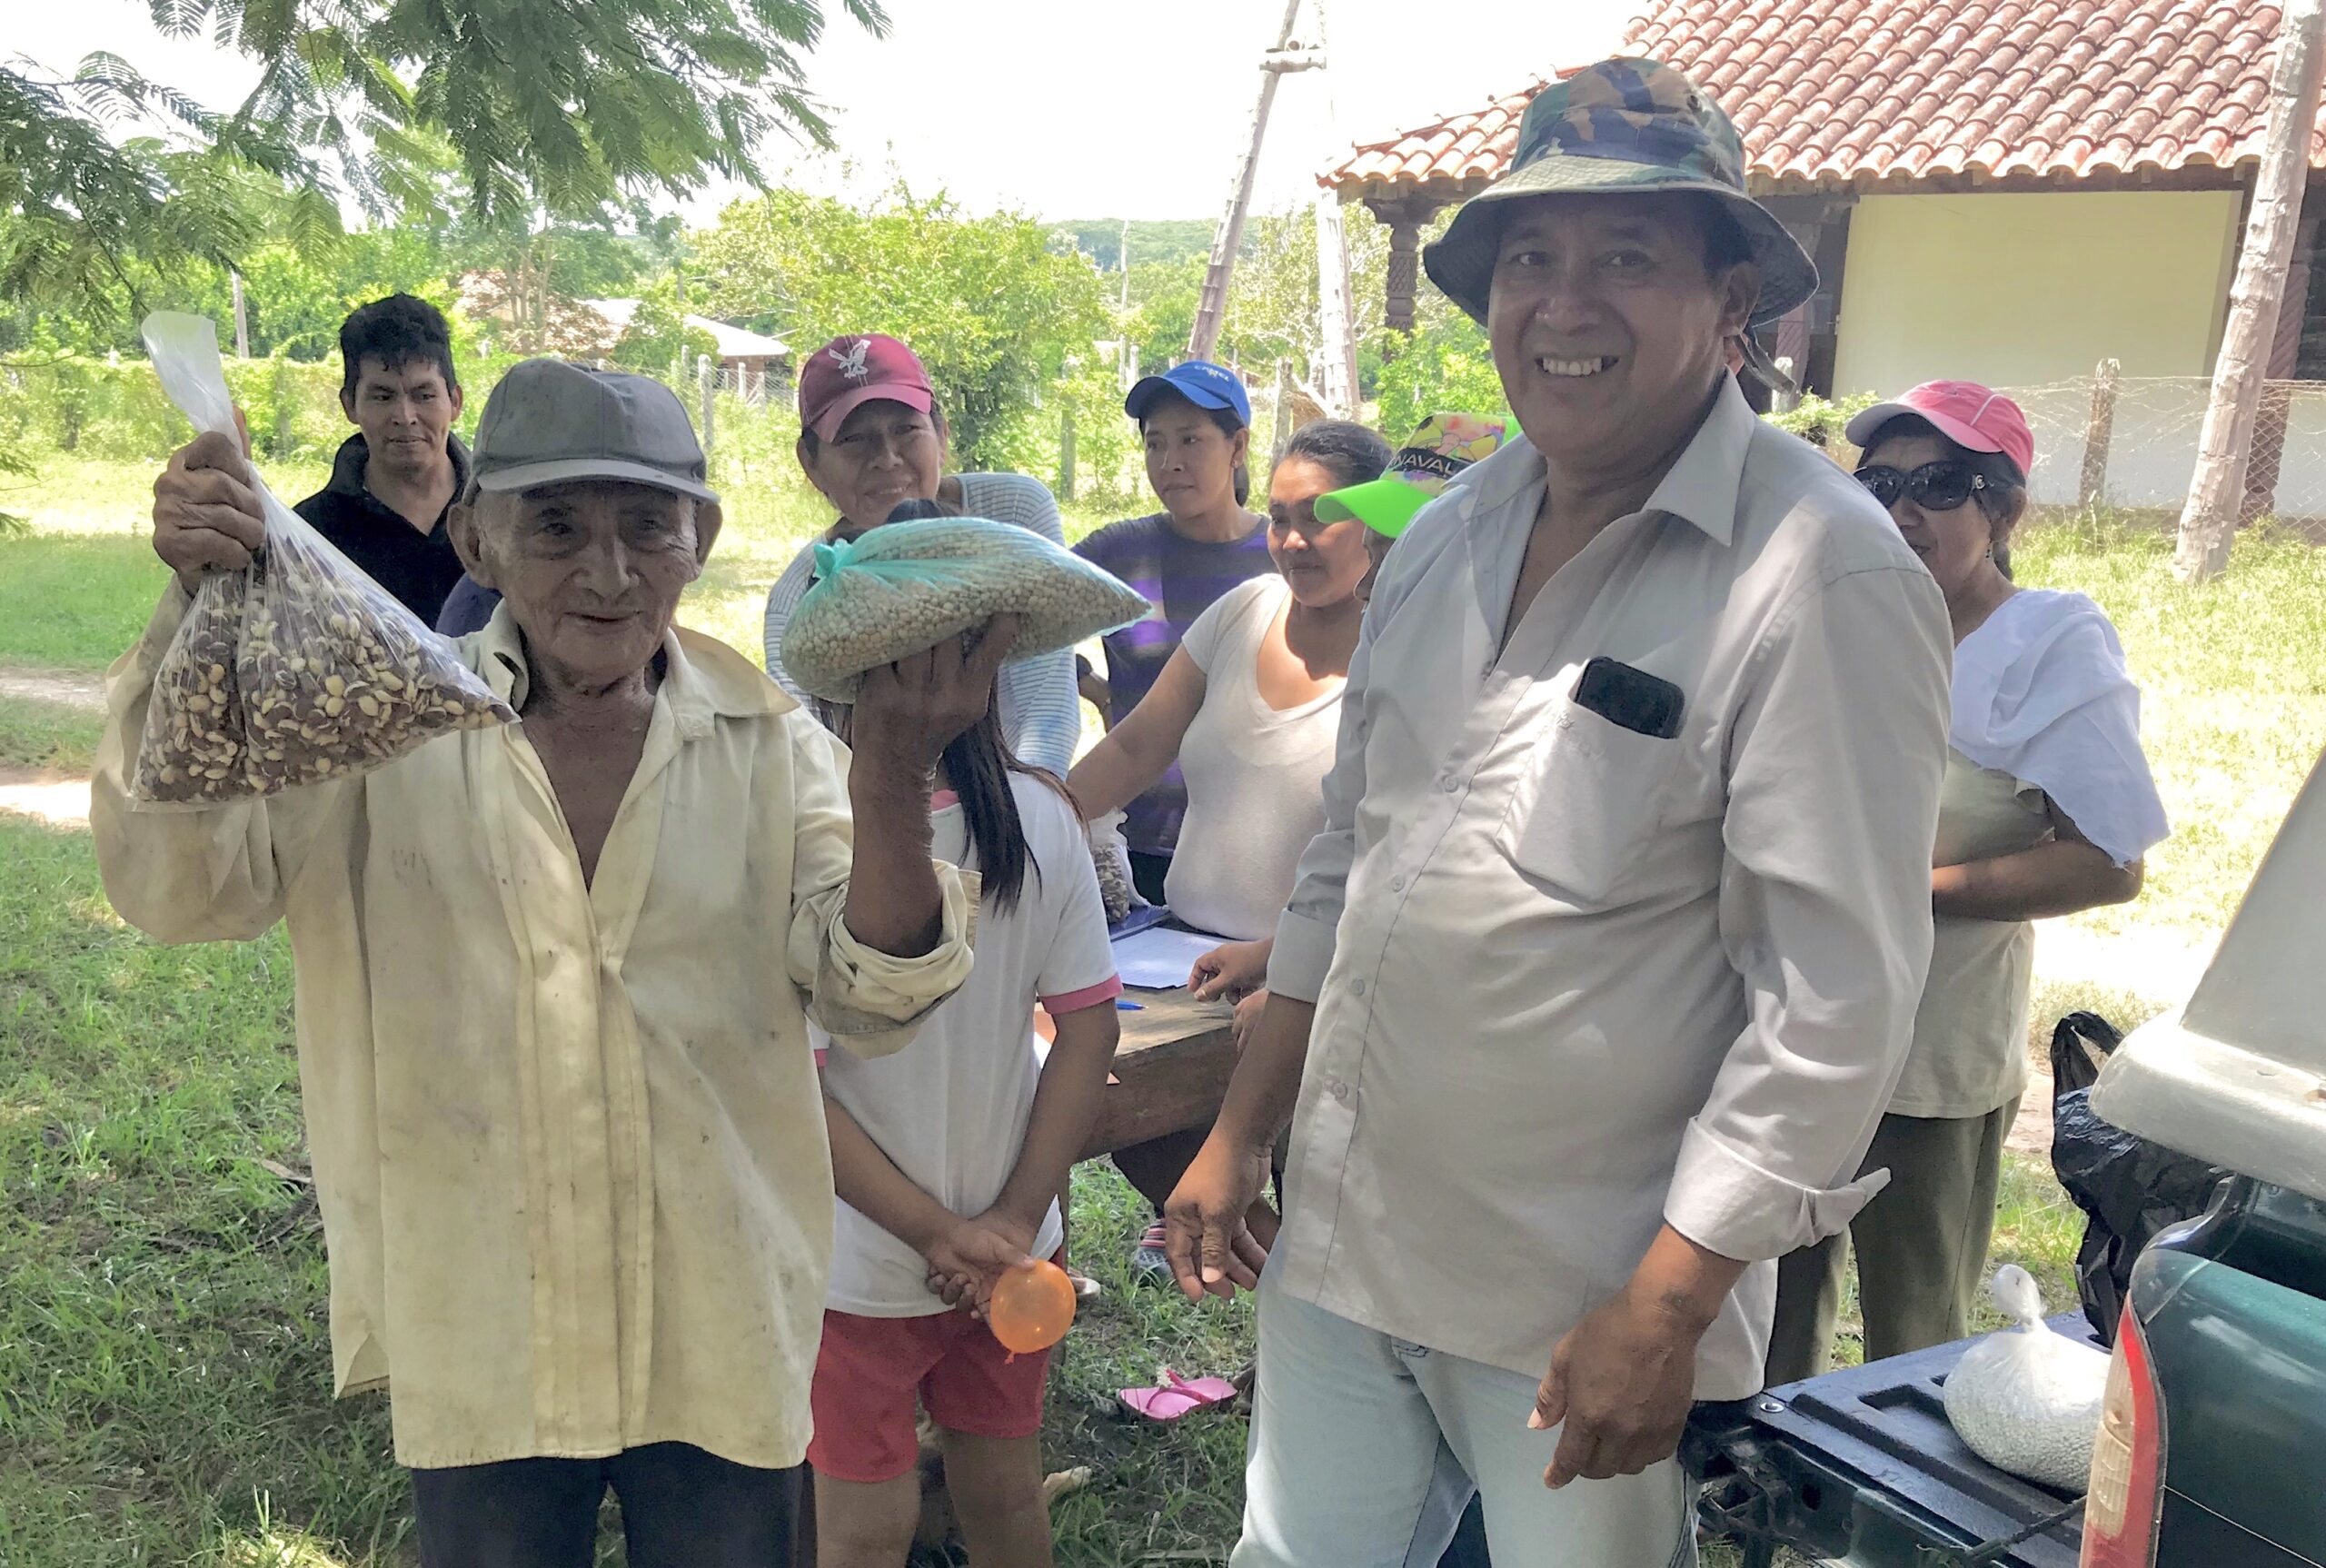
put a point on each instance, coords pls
(1608, 325)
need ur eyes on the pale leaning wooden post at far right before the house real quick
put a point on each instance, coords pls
(2218, 487)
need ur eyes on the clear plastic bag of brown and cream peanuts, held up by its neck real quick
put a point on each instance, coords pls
(299, 669)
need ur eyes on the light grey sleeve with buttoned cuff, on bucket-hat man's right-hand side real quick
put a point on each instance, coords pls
(1834, 774)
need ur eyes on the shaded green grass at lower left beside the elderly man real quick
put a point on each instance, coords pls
(164, 1355)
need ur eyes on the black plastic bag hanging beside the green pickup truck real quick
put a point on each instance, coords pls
(2127, 1185)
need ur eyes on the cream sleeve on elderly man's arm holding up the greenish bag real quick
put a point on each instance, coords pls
(866, 999)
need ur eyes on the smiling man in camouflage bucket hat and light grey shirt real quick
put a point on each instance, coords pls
(1608, 955)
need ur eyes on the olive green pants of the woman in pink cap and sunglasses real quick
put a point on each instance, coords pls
(1920, 1246)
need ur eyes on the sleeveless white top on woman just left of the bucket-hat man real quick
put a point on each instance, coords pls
(1255, 774)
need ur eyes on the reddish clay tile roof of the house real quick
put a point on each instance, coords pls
(1857, 92)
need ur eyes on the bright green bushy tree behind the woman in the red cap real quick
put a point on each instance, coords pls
(987, 306)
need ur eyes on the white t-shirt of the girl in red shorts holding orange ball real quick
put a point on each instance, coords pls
(952, 1106)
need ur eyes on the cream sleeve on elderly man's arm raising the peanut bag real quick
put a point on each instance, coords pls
(180, 874)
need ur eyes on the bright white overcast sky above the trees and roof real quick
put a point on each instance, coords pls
(1064, 108)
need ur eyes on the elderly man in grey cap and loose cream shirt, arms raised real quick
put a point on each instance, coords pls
(555, 988)
